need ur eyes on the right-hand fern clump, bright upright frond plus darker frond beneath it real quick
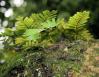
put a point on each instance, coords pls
(77, 26)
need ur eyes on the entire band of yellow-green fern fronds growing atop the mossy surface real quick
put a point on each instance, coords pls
(33, 26)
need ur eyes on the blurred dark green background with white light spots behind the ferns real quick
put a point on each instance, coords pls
(11, 9)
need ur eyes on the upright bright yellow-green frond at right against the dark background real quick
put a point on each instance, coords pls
(78, 20)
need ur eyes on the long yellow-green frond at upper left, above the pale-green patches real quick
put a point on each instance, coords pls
(35, 20)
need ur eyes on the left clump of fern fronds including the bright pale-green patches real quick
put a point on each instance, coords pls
(31, 27)
